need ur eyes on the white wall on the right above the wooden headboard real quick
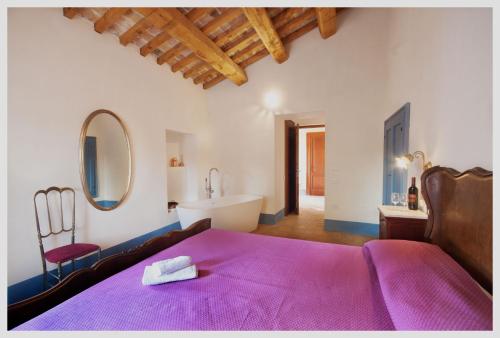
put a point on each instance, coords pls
(441, 62)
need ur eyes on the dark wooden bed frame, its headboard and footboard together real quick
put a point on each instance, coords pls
(460, 222)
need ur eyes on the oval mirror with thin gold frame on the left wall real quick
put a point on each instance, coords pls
(105, 160)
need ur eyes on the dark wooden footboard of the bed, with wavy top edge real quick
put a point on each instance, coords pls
(82, 279)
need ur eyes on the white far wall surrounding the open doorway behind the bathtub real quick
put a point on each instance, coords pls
(341, 79)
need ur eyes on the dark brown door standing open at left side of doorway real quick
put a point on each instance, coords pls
(291, 167)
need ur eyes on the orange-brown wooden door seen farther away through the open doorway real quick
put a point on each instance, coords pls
(315, 183)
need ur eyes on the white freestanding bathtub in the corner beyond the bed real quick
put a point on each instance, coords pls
(236, 212)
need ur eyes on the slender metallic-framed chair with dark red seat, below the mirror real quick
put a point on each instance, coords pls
(64, 253)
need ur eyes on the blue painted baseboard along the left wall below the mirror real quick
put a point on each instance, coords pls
(34, 285)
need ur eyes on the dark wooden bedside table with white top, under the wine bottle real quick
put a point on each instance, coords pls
(398, 222)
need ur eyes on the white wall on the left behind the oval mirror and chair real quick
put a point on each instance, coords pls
(60, 71)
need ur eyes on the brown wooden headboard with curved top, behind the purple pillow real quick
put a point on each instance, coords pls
(461, 217)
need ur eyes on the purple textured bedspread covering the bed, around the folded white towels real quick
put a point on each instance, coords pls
(256, 282)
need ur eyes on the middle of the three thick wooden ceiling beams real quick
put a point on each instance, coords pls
(264, 28)
